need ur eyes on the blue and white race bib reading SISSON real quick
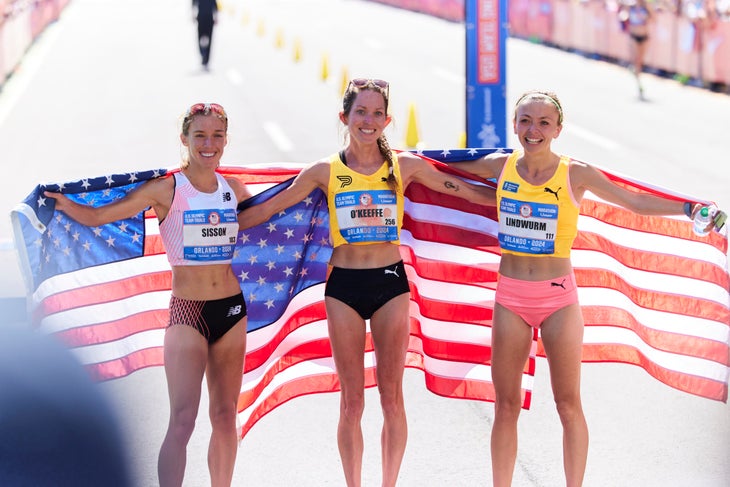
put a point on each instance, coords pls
(209, 235)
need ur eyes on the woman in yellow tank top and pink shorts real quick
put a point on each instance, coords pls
(538, 198)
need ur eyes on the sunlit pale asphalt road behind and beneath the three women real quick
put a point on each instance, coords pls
(102, 91)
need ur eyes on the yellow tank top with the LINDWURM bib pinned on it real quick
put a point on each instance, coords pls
(536, 220)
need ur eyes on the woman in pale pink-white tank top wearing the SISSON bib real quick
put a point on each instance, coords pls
(206, 334)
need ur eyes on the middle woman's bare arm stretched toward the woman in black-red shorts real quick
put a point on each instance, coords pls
(311, 177)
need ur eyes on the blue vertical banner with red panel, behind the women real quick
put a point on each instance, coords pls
(486, 74)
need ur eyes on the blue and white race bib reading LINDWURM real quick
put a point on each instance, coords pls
(527, 227)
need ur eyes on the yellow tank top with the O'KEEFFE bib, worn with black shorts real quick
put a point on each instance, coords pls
(363, 209)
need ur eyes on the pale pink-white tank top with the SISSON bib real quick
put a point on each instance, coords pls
(200, 228)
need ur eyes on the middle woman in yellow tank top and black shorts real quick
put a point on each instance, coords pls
(364, 184)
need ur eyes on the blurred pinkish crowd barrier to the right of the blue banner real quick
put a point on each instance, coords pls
(687, 39)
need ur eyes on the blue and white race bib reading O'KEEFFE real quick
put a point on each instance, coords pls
(367, 216)
